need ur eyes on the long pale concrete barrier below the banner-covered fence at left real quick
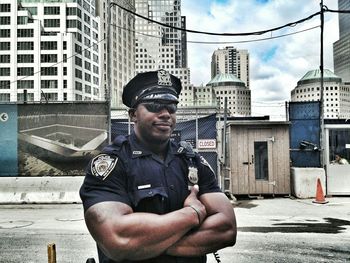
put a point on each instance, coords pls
(65, 189)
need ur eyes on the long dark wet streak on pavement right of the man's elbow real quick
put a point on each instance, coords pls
(330, 226)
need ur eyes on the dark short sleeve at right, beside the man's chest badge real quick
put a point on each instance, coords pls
(207, 180)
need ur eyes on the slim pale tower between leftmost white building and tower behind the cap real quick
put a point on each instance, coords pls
(122, 50)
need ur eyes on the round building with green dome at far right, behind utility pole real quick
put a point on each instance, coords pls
(336, 95)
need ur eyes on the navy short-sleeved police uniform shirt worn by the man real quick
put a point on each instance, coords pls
(127, 172)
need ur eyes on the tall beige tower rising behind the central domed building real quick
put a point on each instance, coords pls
(230, 60)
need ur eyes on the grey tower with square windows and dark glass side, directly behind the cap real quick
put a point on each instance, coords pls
(161, 47)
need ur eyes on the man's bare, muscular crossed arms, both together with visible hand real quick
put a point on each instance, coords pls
(123, 234)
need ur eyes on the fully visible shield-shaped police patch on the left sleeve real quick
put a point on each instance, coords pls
(102, 165)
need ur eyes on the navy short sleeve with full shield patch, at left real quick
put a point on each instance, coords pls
(105, 180)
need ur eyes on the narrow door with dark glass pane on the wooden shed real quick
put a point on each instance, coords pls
(260, 169)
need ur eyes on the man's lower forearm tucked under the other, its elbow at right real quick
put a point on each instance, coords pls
(215, 233)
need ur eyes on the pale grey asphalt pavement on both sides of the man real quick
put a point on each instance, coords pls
(280, 229)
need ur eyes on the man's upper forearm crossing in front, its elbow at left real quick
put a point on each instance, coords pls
(136, 236)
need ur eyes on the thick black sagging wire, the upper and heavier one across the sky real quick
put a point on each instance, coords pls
(219, 34)
